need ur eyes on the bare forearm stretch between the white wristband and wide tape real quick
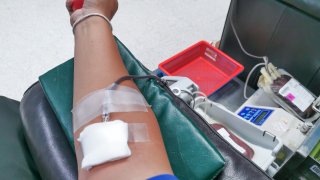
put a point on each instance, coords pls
(97, 61)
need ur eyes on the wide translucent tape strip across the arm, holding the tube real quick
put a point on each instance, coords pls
(115, 98)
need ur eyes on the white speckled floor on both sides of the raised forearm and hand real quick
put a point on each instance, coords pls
(35, 36)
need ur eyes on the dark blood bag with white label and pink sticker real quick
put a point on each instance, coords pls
(289, 93)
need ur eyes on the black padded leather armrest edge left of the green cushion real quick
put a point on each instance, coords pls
(48, 144)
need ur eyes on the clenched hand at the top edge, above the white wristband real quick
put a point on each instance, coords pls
(106, 7)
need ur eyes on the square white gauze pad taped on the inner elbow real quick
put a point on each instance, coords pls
(104, 142)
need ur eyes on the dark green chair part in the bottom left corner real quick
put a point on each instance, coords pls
(15, 159)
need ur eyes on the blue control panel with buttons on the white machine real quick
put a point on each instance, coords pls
(255, 115)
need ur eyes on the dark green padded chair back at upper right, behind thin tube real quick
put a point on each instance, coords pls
(287, 32)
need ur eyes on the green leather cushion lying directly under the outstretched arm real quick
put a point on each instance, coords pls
(190, 153)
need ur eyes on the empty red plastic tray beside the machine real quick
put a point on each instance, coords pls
(204, 64)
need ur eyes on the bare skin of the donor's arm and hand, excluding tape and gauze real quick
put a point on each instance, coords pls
(97, 65)
